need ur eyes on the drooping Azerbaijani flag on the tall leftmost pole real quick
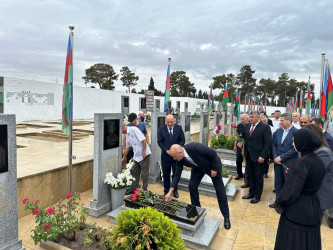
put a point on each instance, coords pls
(67, 98)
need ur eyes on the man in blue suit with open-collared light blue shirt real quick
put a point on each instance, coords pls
(283, 151)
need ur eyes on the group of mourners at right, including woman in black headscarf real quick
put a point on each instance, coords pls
(303, 172)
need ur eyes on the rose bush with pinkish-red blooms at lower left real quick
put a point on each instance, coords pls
(53, 222)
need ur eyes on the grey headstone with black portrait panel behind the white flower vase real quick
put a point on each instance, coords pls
(107, 158)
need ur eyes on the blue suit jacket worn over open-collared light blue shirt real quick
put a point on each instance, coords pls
(285, 150)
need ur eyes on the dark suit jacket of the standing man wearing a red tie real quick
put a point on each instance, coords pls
(259, 143)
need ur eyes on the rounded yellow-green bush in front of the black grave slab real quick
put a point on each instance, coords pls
(144, 228)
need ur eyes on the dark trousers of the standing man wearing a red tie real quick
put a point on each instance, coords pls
(255, 177)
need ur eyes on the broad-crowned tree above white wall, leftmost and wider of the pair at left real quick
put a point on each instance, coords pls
(102, 74)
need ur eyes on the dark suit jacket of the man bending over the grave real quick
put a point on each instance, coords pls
(205, 158)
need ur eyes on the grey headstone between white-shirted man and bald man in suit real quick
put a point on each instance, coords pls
(157, 120)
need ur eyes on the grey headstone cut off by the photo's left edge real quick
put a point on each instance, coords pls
(8, 184)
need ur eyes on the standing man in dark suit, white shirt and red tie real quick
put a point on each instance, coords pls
(258, 140)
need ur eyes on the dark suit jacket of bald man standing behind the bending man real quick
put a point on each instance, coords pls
(165, 141)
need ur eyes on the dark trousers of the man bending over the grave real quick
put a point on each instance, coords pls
(196, 177)
